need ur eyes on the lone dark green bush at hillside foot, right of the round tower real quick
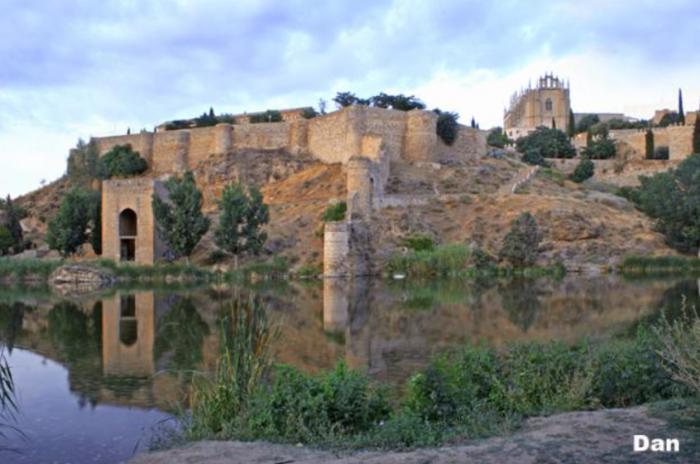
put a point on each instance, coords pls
(520, 245)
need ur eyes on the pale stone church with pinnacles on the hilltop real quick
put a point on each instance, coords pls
(548, 105)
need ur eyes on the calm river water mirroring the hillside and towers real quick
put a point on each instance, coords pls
(96, 376)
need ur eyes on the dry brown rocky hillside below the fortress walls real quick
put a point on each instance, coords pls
(465, 202)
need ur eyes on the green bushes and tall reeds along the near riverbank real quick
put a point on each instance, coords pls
(469, 393)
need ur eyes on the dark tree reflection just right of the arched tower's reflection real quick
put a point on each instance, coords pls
(181, 332)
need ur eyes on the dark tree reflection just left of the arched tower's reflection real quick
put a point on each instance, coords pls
(76, 334)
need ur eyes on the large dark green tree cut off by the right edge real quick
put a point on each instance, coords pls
(672, 198)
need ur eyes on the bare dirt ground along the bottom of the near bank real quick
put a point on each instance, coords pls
(579, 437)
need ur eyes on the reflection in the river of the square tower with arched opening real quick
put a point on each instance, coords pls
(127, 334)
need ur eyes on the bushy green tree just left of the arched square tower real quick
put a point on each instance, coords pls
(73, 224)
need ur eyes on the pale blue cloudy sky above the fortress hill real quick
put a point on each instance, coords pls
(73, 69)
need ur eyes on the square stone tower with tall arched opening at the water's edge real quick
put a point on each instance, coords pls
(135, 194)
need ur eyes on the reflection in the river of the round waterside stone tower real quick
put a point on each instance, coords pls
(346, 308)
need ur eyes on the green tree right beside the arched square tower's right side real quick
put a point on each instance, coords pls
(179, 220)
